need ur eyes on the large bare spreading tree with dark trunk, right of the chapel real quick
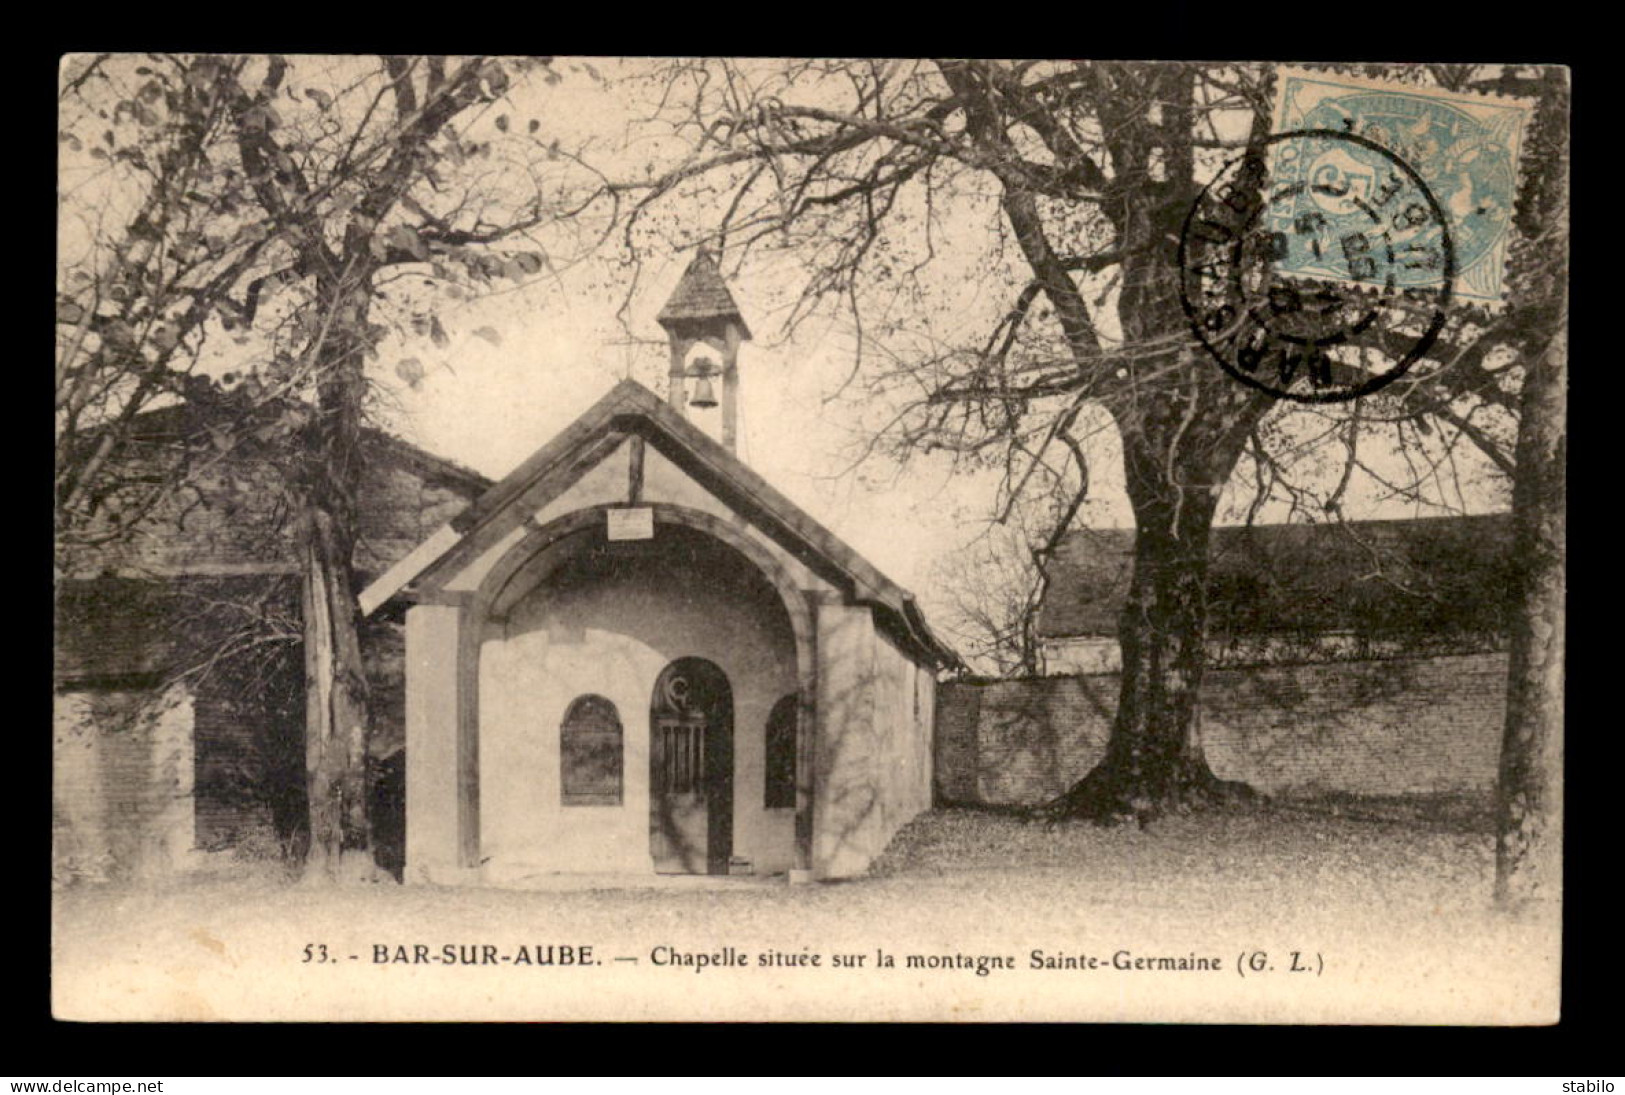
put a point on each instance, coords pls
(1046, 204)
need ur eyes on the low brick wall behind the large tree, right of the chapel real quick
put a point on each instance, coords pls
(1384, 727)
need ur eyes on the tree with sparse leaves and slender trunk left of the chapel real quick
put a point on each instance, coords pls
(245, 235)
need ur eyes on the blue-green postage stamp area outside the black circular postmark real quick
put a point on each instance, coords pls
(1465, 149)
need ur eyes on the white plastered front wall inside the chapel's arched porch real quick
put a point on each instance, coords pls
(613, 639)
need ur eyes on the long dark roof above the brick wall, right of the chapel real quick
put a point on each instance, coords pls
(1424, 576)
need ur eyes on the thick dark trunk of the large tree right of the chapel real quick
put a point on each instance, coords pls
(1181, 444)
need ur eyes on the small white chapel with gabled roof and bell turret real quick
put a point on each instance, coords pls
(633, 656)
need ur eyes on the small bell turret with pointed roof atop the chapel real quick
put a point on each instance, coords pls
(701, 311)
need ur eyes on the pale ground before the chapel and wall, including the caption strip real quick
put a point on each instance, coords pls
(1291, 915)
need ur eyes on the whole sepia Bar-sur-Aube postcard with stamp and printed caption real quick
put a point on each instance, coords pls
(808, 540)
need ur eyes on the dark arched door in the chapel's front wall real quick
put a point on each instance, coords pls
(691, 769)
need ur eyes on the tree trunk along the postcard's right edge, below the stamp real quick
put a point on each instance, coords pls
(1530, 790)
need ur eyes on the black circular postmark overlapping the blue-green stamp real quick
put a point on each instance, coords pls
(1317, 267)
